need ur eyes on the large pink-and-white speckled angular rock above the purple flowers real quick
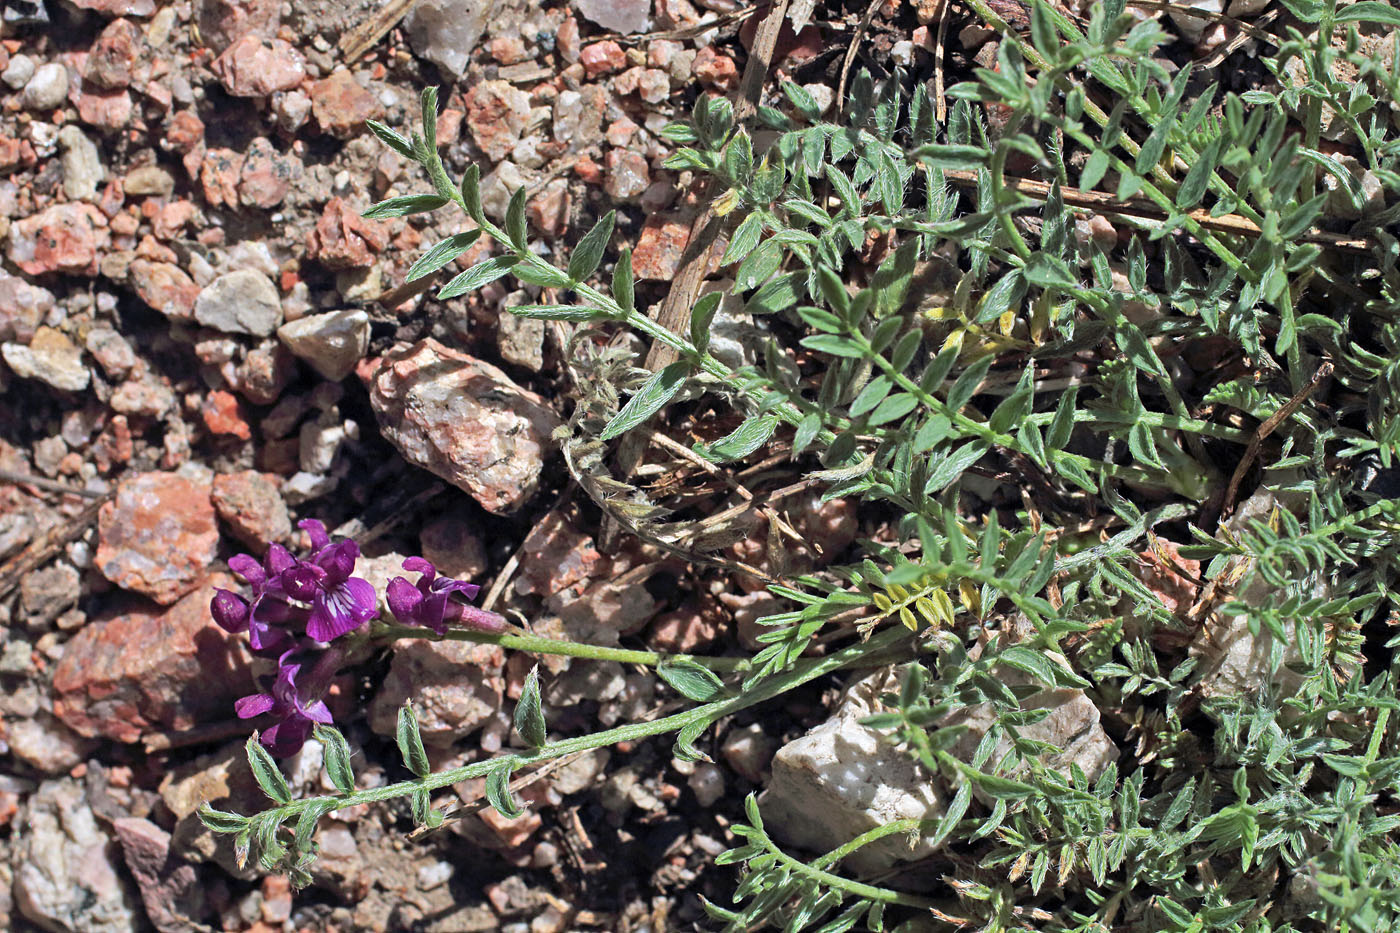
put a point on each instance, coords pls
(465, 421)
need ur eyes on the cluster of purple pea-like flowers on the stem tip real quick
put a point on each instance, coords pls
(300, 606)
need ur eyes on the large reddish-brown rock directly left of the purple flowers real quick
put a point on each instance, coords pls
(152, 670)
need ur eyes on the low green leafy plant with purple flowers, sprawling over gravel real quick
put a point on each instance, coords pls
(1028, 403)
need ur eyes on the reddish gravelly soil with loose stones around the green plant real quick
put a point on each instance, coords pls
(204, 343)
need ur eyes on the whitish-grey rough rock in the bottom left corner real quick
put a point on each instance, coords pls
(65, 879)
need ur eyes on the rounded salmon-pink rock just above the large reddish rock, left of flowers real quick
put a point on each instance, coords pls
(157, 537)
